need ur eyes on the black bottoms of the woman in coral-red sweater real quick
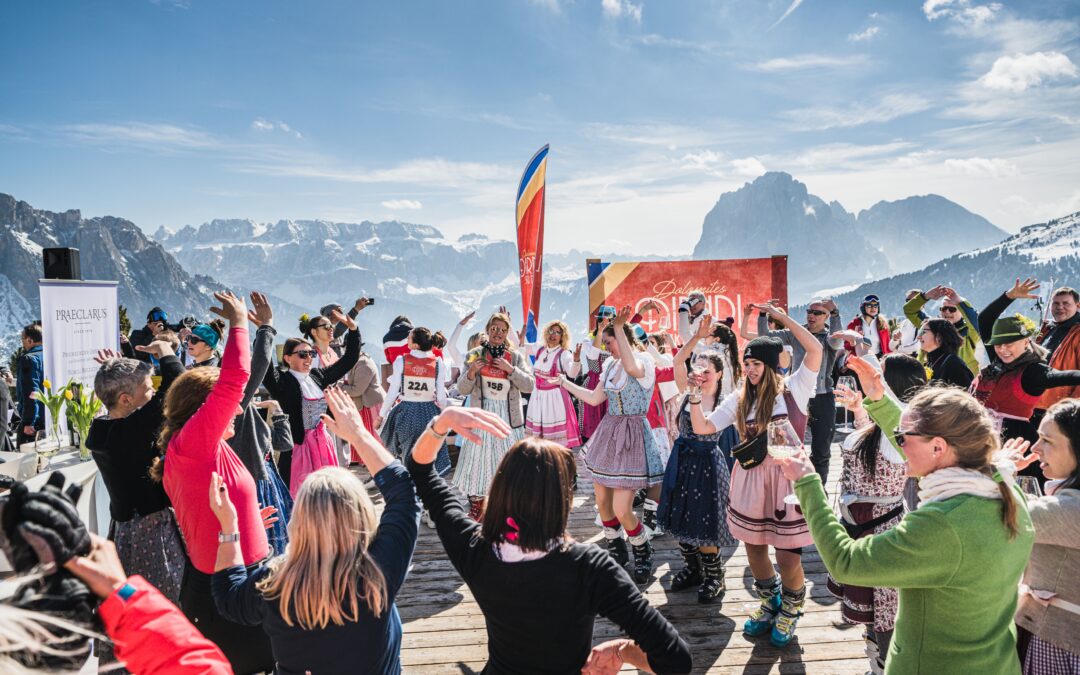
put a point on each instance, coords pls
(247, 647)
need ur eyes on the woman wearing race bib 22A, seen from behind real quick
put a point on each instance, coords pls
(417, 394)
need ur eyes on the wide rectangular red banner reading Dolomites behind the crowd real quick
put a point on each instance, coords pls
(728, 287)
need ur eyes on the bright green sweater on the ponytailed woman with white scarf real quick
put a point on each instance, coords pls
(954, 564)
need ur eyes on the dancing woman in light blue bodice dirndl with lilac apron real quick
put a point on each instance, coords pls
(623, 455)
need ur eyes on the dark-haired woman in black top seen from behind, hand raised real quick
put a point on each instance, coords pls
(539, 590)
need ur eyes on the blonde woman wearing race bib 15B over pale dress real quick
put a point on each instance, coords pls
(494, 380)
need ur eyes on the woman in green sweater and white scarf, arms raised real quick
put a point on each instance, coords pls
(957, 558)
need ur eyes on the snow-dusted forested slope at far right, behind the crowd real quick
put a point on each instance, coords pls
(1049, 251)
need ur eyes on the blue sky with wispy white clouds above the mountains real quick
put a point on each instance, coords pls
(179, 112)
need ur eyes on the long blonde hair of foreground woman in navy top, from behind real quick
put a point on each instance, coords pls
(328, 570)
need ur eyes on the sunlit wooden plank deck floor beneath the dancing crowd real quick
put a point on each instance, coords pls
(444, 628)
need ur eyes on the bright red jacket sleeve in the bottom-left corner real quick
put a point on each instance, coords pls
(154, 638)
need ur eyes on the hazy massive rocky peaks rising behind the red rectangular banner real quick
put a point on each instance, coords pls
(776, 214)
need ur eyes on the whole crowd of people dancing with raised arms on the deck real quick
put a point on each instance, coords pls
(245, 541)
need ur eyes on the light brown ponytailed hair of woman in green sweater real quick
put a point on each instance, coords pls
(966, 426)
